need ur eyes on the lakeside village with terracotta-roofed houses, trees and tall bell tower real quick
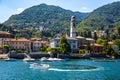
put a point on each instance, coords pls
(63, 46)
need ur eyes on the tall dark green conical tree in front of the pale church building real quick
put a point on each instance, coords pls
(64, 45)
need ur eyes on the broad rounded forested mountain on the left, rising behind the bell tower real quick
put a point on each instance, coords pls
(52, 18)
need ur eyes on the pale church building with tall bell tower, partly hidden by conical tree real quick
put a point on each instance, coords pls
(72, 40)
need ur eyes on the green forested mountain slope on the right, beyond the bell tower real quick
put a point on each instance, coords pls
(102, 17)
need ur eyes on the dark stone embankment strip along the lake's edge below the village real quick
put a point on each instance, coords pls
(62, 56)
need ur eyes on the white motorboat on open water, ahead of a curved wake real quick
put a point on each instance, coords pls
(39, 66)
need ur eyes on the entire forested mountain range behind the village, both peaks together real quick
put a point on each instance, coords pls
(47, 20)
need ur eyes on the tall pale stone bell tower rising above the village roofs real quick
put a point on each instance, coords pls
(73, 27)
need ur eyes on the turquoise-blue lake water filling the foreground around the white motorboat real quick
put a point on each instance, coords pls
(61, 70)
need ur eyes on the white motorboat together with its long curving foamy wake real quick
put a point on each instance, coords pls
(66, 67)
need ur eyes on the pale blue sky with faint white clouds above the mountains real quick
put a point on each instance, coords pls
(12, 7)
